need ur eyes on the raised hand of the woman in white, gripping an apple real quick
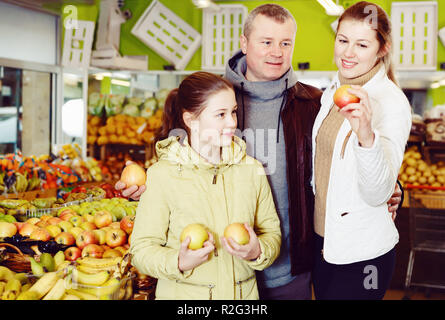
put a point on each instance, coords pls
(359, 116)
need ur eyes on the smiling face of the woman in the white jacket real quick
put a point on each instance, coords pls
(356, 49)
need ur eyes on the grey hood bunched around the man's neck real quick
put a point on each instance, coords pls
(263, 90)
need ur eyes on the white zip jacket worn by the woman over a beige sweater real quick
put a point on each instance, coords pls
(361, 183)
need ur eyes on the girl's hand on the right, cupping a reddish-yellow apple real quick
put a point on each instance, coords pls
(250, 251)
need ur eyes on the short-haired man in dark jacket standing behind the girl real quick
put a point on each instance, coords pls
(276, 114)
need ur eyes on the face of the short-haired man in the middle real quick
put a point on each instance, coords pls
(268, 49)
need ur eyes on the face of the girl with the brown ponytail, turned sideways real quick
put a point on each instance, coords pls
(215, 126)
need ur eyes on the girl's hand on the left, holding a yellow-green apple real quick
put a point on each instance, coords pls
(189, 259)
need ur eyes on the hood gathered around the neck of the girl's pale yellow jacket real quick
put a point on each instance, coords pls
(178, 151)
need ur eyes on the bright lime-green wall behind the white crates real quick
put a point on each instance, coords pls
(314, 40)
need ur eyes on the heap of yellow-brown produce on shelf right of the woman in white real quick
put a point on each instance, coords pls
(416, 171)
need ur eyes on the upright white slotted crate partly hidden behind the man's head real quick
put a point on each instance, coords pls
(221, 33)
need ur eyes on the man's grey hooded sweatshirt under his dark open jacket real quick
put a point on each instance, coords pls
(259, 105)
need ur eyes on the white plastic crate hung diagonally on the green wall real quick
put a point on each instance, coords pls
(167, 34)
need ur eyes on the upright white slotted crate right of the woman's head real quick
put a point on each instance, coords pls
(414, 26)
